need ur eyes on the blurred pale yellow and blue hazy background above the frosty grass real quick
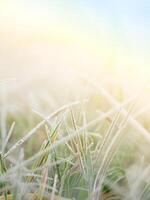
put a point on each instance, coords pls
(49, 49)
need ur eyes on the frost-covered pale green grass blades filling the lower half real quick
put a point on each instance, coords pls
(88, 149)
